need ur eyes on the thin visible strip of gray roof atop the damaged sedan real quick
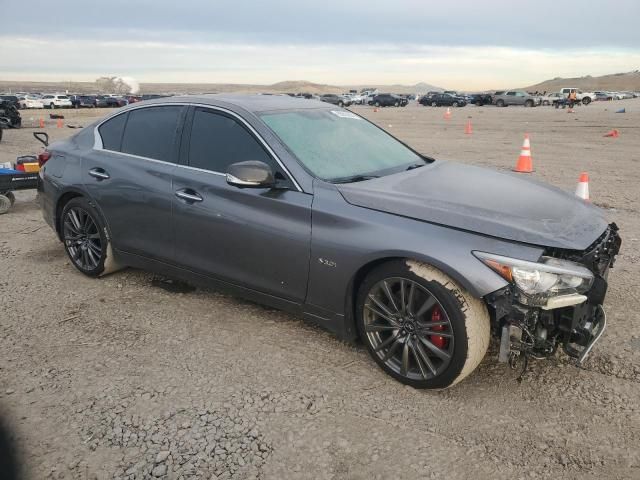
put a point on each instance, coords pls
(250, 103)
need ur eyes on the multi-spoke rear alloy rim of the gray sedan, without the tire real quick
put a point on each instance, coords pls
(82, 238)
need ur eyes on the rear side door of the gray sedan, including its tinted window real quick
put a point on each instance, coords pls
(129, 178)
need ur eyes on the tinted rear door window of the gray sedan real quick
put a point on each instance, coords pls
(151, 132)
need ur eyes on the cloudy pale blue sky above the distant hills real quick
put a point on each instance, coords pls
(462, 44)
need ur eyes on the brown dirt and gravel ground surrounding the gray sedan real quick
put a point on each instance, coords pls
(115, 378)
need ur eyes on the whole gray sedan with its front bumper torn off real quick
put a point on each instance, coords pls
(312, 209)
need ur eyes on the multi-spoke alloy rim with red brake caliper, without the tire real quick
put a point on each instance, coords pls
(408, 329)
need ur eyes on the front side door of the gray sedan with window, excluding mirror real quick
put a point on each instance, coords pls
(254, 237)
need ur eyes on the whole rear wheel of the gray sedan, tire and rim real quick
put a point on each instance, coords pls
(85, 242)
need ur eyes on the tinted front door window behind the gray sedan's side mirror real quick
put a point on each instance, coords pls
(217, 141)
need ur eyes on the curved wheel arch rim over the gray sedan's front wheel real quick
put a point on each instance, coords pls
(373, 262)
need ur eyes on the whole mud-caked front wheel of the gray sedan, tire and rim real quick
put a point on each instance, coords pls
(443, 354)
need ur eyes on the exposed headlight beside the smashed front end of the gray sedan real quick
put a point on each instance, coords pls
(539, 281)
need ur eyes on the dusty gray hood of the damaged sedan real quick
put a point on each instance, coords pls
(490, 202)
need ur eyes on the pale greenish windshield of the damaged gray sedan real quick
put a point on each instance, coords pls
(338, 146)
